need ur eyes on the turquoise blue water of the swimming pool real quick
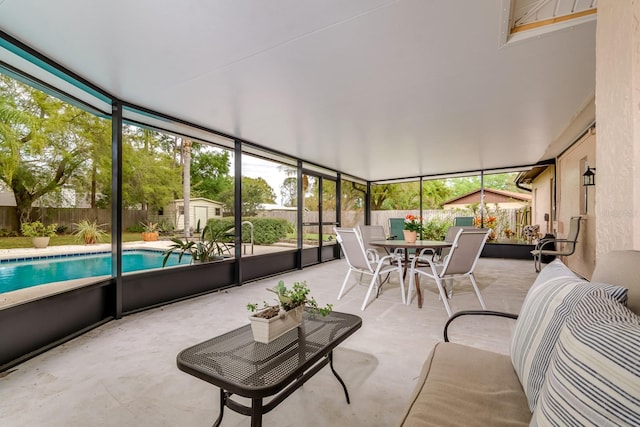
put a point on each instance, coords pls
(26, 273)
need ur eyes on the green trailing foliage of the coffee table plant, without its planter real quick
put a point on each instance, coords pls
(290, 298)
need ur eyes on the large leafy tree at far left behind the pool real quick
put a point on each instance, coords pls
(42, 143)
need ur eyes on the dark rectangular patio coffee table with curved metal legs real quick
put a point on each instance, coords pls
(239, 365)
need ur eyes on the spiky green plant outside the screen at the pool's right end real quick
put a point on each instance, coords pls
(210, 246)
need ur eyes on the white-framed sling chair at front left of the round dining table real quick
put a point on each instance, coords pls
(356, 255)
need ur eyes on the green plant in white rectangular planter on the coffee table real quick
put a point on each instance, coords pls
(273, 321)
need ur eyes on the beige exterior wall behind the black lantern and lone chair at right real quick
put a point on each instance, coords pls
(571, 202)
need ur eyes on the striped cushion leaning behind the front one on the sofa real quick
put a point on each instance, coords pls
(544, 311)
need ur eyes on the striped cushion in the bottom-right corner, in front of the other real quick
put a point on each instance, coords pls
(594, 375)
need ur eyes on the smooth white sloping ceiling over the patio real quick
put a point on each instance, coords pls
(376, 89)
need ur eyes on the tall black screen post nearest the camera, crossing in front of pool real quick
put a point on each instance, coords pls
(116, 203)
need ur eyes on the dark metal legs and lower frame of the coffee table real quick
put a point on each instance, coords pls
(257, 408)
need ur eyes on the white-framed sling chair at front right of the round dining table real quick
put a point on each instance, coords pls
(461, 261)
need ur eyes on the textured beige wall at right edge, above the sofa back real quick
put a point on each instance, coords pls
(618, 117)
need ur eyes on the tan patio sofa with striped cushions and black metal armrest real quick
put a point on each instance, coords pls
(569, 332)
